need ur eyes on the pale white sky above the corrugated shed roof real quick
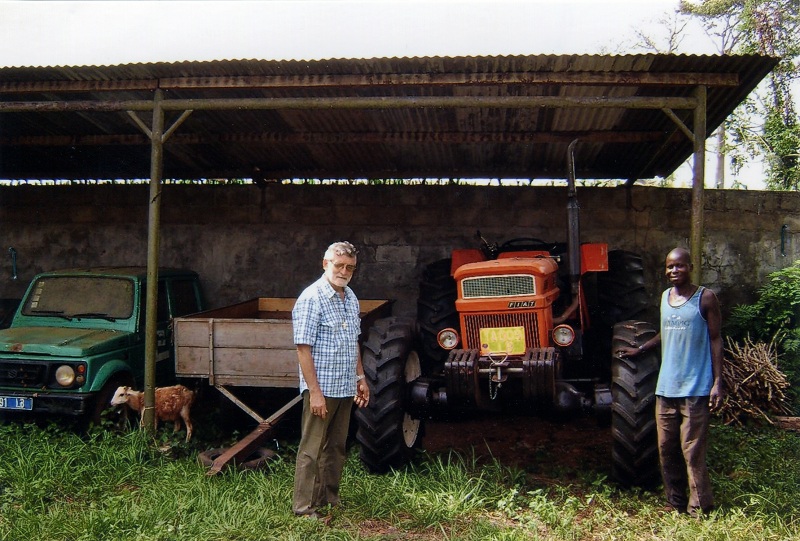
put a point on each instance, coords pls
(54, 33)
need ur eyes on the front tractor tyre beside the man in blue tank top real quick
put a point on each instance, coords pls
(633, 423)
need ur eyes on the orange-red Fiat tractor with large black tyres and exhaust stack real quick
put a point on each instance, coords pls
(526, 325)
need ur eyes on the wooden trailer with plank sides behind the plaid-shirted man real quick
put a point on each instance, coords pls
(248, 344)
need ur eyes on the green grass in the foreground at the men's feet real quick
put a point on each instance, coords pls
(57, 485)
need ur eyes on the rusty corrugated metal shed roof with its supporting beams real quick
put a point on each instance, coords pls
(445, 117)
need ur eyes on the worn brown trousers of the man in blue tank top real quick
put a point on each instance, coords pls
(682, 425)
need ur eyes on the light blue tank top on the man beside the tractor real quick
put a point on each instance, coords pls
(685, 349)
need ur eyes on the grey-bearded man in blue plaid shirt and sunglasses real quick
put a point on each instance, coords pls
(326, 328)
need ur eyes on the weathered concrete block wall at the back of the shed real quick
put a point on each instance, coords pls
(248, 241)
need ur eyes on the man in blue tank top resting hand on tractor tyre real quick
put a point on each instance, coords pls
(689, 384)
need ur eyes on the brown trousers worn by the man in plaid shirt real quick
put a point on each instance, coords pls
(321, 455)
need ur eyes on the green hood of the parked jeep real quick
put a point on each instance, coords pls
(56, 341)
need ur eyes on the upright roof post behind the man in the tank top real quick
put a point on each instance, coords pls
(698, 182)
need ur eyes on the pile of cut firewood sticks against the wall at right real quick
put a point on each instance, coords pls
(755, 387)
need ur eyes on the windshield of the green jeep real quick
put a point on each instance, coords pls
(80, 297)
